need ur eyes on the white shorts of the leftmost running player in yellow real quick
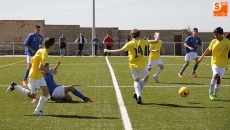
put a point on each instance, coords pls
(34, 84)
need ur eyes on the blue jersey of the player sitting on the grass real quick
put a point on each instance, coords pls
(50, 82)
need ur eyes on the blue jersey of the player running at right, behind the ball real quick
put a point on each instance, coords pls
(190, 41)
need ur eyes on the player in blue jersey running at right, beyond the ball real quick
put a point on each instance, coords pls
(191, 44)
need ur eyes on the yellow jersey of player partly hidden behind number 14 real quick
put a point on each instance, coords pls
(155, 55)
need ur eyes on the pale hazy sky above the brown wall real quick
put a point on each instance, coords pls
(124, 14)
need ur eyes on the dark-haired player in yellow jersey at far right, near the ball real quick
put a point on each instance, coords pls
(220, 47)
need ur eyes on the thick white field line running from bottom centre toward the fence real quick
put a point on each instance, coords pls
(124, 113)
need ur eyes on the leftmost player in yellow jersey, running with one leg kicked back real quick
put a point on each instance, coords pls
(36, 79)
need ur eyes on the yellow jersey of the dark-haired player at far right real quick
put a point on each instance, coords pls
(220, 52)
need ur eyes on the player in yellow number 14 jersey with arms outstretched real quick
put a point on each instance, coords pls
(137, 63)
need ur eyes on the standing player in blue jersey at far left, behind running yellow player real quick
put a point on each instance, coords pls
(32, 44)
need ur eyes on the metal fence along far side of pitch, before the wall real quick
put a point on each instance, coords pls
(171, 48)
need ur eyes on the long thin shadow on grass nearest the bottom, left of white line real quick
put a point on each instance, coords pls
(81, 117)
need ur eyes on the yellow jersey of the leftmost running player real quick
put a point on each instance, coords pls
(40, 57)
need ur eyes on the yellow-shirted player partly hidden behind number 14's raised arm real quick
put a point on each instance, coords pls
(154, 58)
